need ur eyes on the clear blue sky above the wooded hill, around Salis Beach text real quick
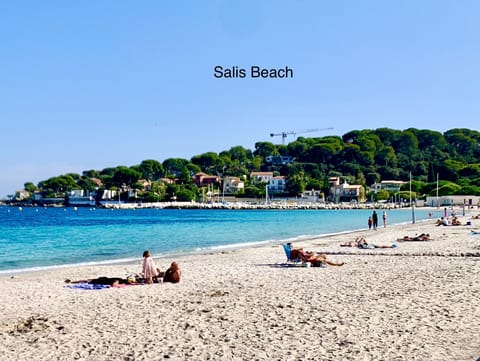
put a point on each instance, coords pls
(96, 84)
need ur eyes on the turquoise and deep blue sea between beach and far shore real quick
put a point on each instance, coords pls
(39, 238)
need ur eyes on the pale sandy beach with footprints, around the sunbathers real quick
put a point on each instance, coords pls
(418, 301)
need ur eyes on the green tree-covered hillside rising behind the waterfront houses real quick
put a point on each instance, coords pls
(359, 157)
